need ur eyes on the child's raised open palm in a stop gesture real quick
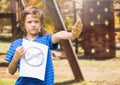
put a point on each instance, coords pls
(77, 28)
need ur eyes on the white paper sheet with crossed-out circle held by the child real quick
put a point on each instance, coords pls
(33, 63)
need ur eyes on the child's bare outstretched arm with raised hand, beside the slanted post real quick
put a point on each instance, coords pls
(76, 31)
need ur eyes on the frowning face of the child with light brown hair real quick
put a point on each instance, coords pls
(32, 24)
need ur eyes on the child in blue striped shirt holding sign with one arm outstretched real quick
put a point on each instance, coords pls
(33, 51)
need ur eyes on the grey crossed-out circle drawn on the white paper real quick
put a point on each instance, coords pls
(34, 56)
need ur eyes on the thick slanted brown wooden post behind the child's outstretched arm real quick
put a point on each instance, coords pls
(66, 44)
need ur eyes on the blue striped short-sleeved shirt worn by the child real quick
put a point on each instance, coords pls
(49, 74)
